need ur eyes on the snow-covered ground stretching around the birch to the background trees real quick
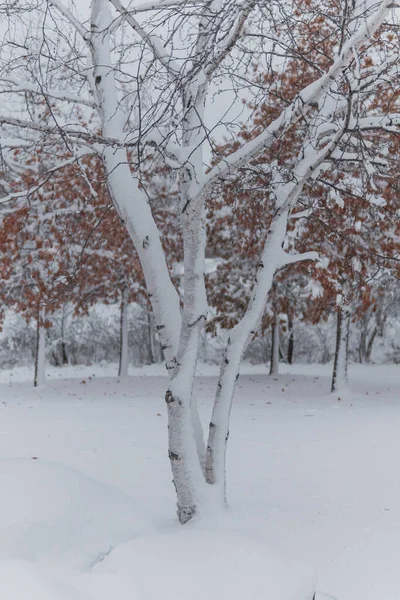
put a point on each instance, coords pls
(312, 475)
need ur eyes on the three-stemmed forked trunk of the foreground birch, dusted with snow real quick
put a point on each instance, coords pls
(181, 354)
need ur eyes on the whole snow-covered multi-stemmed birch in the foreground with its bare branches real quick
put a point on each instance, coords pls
(177, 53)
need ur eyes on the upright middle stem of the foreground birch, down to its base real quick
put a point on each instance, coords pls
(186, 439)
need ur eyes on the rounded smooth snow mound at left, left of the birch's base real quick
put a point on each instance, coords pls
(52, 512)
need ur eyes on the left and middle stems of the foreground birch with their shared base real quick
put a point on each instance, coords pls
(179, 336)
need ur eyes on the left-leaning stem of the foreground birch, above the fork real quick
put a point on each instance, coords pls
(129, 200)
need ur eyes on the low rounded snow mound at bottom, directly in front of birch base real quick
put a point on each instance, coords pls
(199, 564)
